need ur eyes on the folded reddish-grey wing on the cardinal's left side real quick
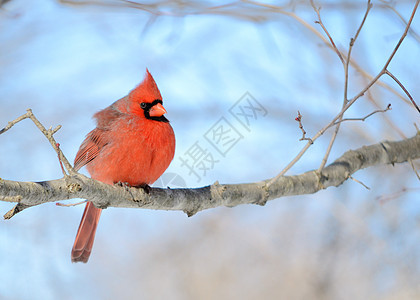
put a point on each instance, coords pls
(90, 148)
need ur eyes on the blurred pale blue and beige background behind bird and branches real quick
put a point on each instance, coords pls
(68, 59)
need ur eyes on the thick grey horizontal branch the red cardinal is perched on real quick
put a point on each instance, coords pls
(191, 201)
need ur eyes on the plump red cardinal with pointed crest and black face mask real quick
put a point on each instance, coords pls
(132, 143)
